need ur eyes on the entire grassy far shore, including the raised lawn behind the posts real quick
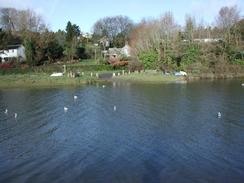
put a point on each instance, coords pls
(40, 76)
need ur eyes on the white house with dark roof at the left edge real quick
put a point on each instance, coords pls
(13, 51)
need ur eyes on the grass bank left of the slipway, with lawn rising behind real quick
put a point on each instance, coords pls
(39, 76)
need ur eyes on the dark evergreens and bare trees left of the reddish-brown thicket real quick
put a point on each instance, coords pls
(43, 46)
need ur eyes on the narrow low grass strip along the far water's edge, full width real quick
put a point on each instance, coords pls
(44, 80)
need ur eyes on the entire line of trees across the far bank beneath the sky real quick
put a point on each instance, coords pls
(159, 43)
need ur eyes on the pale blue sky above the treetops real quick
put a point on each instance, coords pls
(85, 13)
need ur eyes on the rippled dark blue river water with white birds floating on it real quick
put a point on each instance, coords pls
(159, 133)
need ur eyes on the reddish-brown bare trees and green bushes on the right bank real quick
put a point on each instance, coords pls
(163, 44)
